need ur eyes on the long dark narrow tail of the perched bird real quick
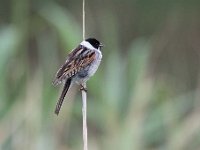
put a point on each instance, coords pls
(62, 96)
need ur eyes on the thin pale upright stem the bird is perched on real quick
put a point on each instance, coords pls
(84, 95)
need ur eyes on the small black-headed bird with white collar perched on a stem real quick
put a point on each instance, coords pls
(81, 63)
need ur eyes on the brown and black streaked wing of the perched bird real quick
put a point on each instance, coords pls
(77, 60)
